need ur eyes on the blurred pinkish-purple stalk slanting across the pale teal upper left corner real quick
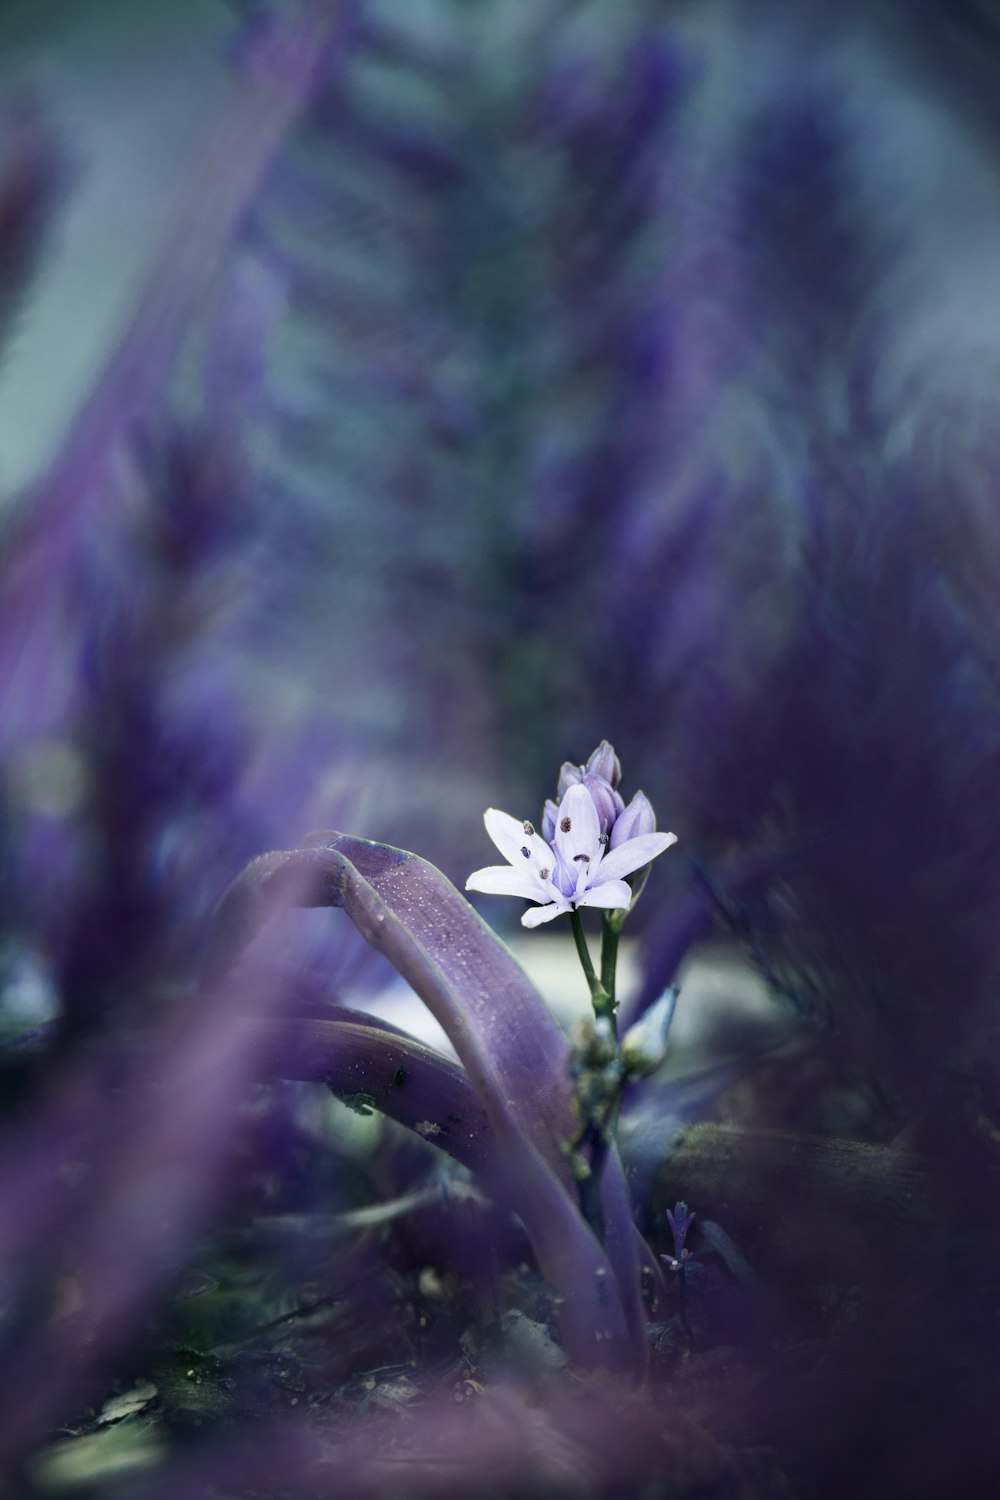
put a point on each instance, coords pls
(277, 82)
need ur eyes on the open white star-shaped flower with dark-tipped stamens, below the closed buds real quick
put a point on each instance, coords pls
(575, 869)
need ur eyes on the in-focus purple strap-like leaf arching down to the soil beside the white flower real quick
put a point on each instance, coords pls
(512, 1049)
